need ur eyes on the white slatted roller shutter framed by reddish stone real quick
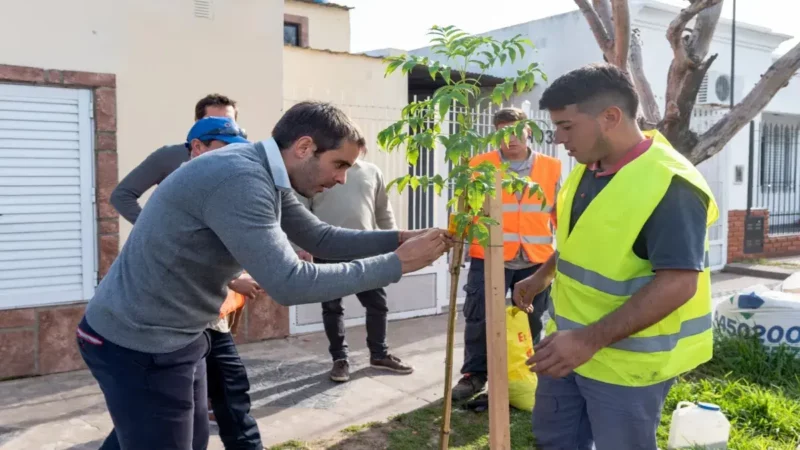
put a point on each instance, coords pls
(47, 231)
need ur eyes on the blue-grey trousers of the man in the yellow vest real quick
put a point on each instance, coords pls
(578, 413)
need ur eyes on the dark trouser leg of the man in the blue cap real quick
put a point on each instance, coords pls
(228, 388)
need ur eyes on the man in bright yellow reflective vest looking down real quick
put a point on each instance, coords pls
(631, 288)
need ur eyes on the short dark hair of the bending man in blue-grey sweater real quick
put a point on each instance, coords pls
(327, 125)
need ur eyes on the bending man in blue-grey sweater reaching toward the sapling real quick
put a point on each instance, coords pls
(142, 335)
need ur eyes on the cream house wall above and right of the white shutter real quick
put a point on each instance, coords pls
(162, 67)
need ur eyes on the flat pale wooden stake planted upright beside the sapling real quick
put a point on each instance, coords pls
(497, 358)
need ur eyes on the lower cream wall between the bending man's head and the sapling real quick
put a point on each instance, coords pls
(357, 85)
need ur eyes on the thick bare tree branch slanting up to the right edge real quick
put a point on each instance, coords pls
(776, 77)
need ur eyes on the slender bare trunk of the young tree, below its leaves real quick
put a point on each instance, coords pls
(455, 271)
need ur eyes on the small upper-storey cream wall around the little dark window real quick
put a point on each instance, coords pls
(328, 26)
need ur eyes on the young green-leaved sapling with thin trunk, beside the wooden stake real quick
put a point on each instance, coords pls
(463, 60)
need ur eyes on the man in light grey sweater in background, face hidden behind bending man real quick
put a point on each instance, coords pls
(360, 204)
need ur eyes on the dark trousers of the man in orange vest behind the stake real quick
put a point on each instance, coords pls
(475, 313)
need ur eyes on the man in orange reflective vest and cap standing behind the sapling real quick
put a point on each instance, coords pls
(527, 243)
